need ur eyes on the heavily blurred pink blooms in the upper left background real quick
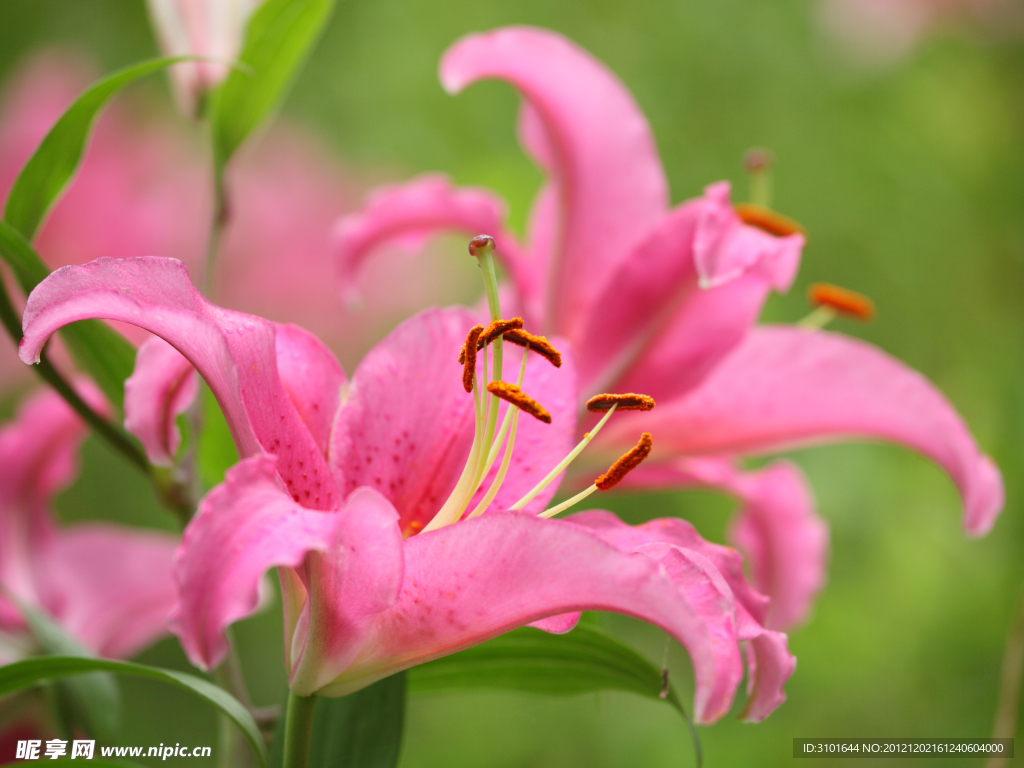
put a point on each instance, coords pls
(144, 190)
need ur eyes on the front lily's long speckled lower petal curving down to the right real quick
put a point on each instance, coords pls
(479, 579)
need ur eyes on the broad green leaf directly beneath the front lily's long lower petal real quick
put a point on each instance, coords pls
(586, 660)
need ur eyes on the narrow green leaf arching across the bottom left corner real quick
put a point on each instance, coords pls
(31, 671)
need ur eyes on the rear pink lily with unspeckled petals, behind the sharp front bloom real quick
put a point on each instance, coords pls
(664, 302)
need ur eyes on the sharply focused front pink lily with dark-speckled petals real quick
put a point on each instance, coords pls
(389, 507)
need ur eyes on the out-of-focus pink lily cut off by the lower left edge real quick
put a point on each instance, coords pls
(109, 587)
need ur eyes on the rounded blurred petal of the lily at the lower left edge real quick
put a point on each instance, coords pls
(111, 588)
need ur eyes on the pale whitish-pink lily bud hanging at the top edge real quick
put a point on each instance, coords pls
(201, 28)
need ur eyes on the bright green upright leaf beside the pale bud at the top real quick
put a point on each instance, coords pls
(279, 39)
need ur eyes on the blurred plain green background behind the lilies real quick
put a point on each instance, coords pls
(911, 181)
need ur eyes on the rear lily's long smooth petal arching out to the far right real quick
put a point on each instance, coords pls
(786, 387)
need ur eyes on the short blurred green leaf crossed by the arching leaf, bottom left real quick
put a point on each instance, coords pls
(90, 701)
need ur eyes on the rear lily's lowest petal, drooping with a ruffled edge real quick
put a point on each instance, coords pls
(778, 528)
